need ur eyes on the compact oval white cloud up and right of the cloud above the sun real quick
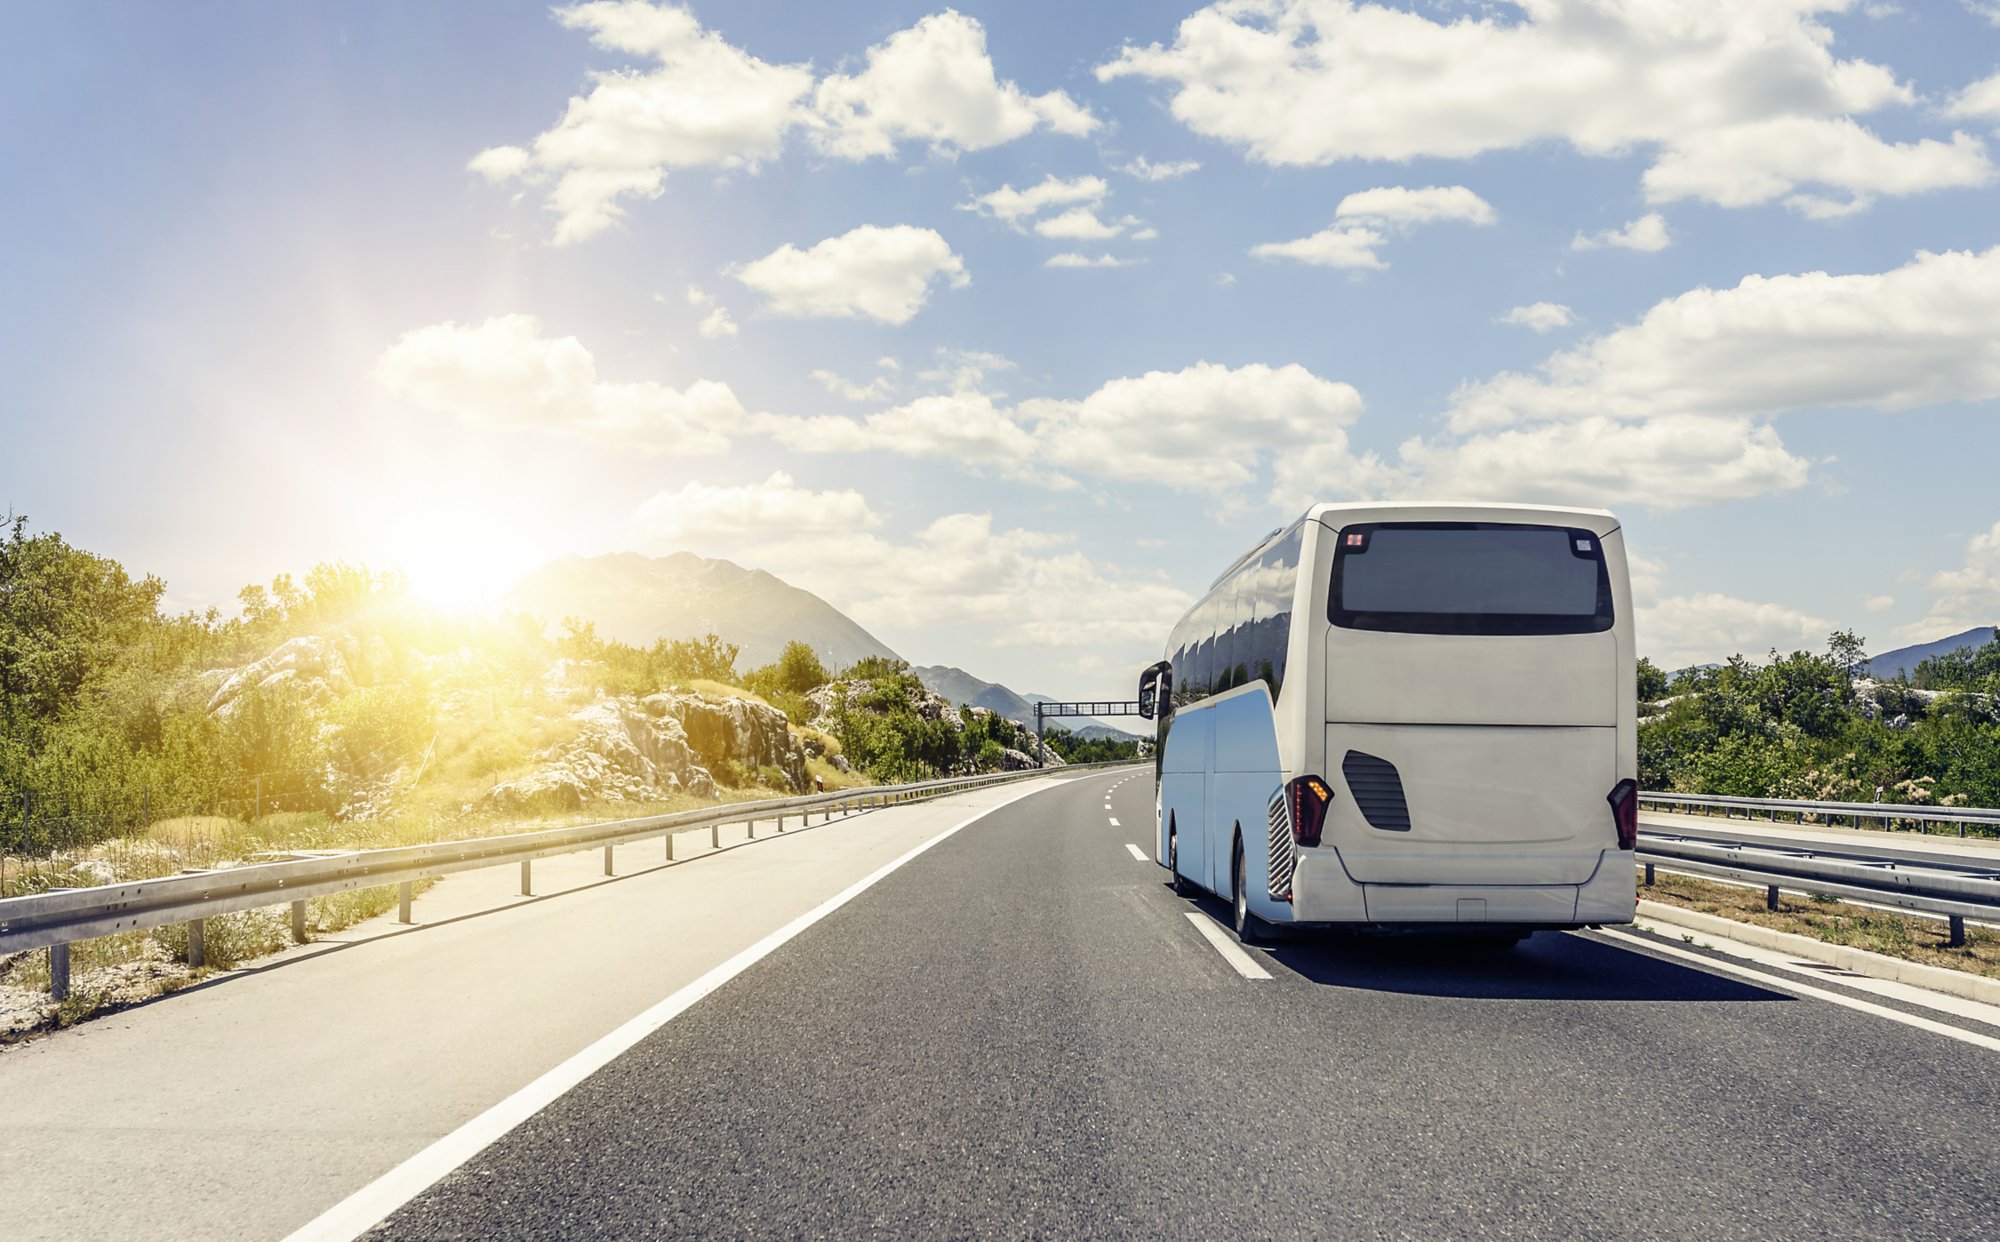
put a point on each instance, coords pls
(869, 273)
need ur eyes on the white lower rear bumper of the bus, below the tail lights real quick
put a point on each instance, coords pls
(1325, 895)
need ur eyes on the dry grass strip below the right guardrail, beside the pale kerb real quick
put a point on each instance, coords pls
(1835, 923)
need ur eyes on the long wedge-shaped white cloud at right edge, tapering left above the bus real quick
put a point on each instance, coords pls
(1913, 337)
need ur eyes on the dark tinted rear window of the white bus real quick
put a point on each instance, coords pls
(1471, 579)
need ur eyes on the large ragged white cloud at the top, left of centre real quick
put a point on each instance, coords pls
(705, 103)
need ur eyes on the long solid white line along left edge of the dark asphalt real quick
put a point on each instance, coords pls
(373, 1203)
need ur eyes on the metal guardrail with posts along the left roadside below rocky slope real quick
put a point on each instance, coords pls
(59, 919)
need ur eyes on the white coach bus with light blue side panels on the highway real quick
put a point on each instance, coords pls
(1407, 717)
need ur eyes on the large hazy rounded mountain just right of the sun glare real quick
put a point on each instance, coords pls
(639, 599)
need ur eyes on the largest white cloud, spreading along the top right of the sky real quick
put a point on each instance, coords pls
(1737, 103)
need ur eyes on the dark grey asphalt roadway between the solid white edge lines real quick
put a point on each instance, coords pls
(1021, 1033)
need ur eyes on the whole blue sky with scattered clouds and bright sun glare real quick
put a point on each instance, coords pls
(461, 289)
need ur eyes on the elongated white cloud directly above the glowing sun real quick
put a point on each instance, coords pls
(505, 373)
